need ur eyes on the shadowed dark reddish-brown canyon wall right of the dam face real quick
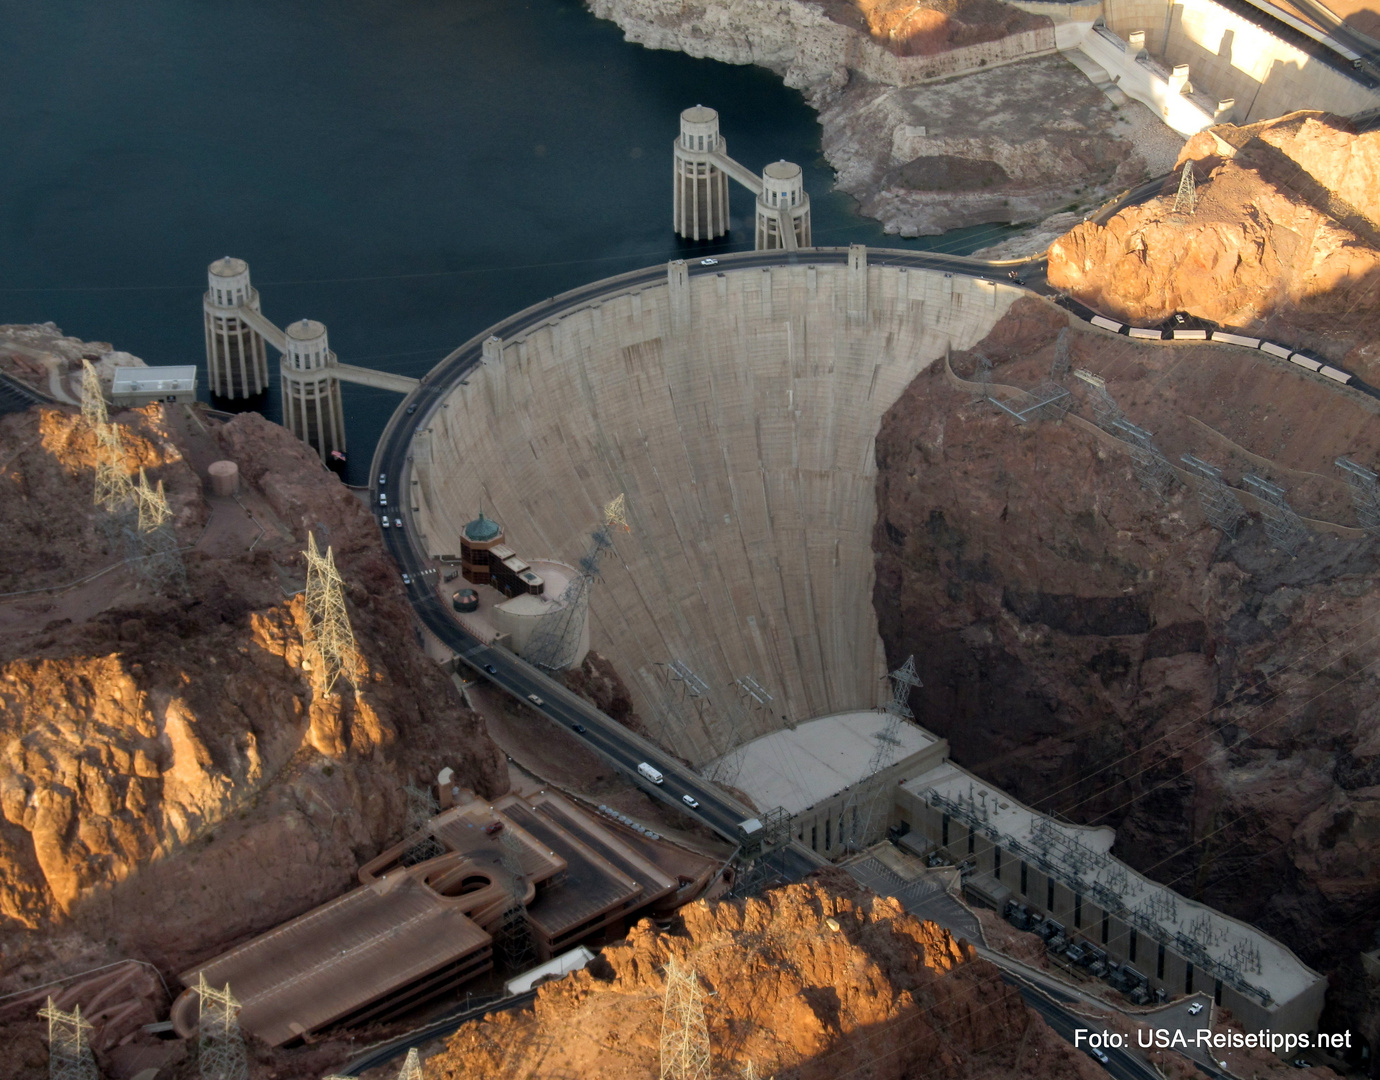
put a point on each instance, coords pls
(1102, 653)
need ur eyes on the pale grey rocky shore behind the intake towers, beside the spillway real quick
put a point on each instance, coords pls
(1007, 143)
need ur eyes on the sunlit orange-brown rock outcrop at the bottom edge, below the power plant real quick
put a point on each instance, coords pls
(786, 992)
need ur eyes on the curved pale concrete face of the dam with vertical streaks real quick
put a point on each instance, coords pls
(742, 430)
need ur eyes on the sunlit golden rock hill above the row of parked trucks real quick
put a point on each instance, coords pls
(1285, 241)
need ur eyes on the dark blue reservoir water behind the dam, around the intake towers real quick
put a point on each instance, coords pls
(405, 172)
